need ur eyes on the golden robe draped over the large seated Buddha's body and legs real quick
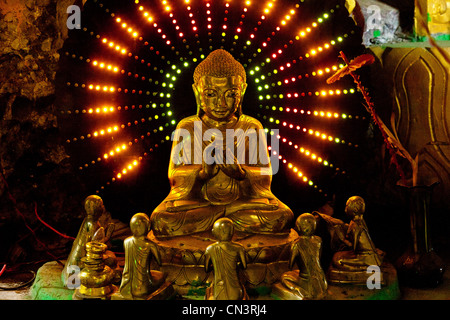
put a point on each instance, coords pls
(194, 204)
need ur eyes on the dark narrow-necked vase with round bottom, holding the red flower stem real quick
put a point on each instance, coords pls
(419, 266)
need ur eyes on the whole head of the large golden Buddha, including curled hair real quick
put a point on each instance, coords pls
(219, 86)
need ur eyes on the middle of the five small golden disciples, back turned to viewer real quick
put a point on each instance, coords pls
(226, 257)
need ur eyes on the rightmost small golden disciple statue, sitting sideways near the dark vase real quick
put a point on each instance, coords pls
(363, 252)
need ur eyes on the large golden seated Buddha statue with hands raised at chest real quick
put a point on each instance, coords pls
(219, 163)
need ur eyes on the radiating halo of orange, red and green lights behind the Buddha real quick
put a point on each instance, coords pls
(154, 45)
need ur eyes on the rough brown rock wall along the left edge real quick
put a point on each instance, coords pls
(35, 168)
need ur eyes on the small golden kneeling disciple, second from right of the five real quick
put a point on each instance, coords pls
(309, 281)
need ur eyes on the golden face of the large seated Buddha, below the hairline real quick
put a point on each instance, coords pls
(219, 98)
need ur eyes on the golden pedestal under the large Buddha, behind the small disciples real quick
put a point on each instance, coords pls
(183, 260)
